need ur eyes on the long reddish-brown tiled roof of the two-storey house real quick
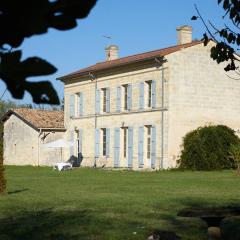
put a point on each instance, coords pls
(130, 59)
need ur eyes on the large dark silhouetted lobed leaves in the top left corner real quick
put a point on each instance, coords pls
(23, 19)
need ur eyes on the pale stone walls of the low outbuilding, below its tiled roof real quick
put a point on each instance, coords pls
(23, 144)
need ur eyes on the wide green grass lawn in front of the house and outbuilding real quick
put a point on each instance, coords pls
(98, 204)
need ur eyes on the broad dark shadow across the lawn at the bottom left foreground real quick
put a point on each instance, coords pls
(66, 225)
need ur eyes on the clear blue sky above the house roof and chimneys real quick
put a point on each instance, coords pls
(135, 26)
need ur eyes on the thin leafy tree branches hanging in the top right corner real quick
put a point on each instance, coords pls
(227, 38)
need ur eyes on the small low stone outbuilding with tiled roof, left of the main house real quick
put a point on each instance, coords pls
(25, 133)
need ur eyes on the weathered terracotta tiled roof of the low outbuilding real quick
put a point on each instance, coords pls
(39, 118)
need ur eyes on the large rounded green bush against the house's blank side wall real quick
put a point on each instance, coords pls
(207, 148)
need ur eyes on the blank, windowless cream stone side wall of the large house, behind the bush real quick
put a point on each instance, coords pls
(200, 93)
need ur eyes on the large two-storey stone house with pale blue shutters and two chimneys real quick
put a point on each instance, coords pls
(133, 112)
